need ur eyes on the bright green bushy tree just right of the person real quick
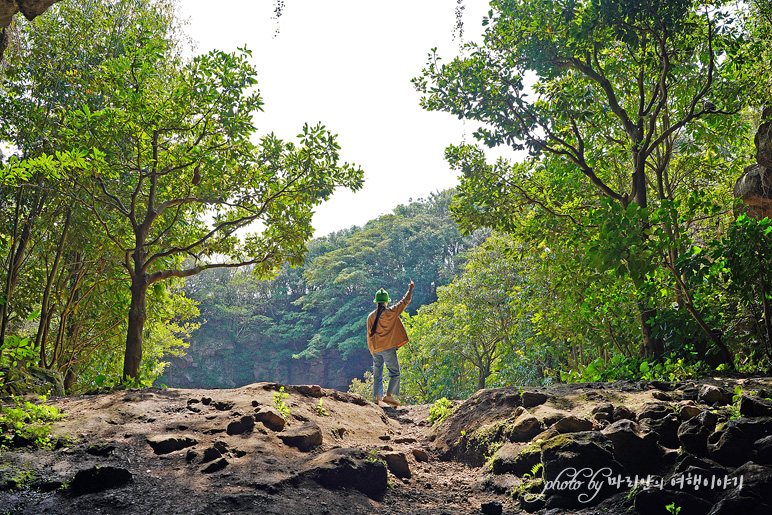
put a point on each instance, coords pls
(474, 332)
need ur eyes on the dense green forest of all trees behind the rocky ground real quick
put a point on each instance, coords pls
(616, 249)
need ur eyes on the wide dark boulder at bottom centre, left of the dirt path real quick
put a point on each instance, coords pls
(348, 468)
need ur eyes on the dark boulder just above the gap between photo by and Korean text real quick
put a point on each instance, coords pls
(636, 450)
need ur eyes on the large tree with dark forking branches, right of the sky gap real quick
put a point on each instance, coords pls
(624, 100)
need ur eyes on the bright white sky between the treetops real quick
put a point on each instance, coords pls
(348, 64)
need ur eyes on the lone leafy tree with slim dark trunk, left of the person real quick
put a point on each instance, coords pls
(174, 147)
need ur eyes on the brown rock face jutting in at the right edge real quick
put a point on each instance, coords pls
(754, 186)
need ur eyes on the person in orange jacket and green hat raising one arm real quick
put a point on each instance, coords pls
(386, 334)
